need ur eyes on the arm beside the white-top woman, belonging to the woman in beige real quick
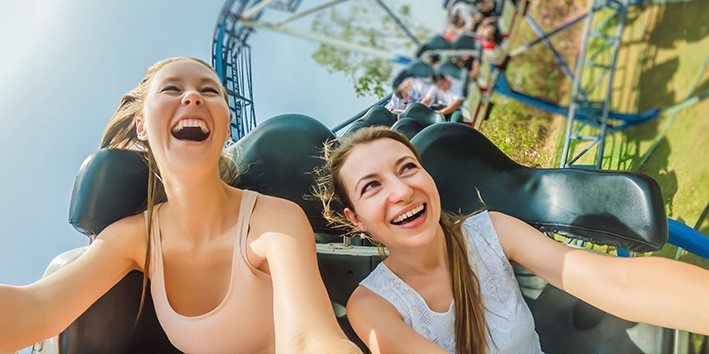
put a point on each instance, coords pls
(303, 315)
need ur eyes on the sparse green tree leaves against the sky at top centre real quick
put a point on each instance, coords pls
(364, 23)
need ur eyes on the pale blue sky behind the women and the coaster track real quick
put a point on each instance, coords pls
(65, 65)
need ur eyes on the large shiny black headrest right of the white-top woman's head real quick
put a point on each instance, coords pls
(622, 209)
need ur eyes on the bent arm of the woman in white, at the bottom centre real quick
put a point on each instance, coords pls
(381, 327)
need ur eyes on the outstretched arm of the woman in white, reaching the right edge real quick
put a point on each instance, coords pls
(646, 289)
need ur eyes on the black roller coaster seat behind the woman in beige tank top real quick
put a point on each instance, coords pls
(276, 158)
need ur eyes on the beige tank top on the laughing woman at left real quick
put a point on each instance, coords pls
(242, 322)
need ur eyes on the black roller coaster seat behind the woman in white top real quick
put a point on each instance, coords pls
(621, 209)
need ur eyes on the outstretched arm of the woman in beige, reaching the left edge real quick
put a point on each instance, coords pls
(29, 314)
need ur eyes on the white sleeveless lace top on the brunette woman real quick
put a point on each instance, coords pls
(508, 317)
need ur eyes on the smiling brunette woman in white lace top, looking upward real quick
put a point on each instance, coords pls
(447, 284)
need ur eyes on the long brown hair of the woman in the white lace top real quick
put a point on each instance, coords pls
(470, 326)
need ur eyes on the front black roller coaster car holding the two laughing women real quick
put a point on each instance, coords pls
(614, 208)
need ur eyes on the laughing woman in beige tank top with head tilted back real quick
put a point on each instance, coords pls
(230, 270)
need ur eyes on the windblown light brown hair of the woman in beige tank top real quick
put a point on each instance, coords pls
(120, 133)
